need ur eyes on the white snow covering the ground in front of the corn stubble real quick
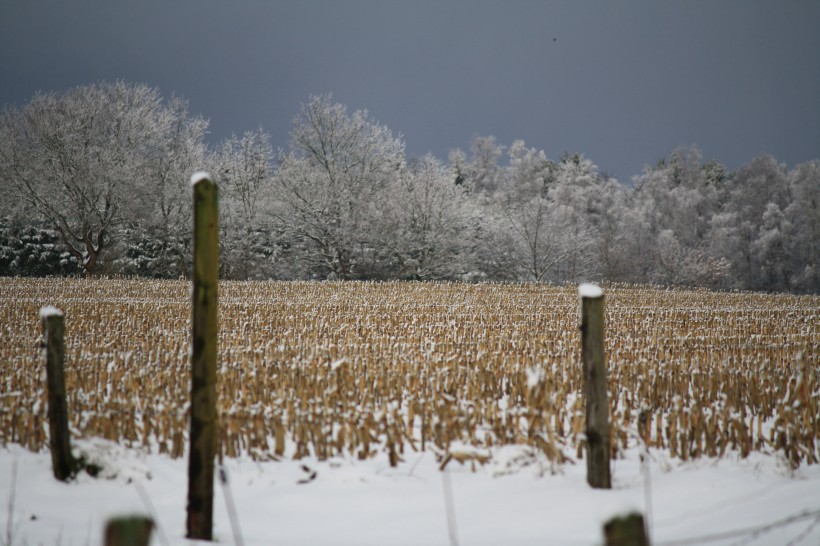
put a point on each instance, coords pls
(515, 499)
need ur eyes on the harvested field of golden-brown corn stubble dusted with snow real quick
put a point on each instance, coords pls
(322, 369)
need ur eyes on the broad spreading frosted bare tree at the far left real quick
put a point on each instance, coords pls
(79, 158)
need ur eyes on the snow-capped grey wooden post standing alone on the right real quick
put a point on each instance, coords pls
(595, 393)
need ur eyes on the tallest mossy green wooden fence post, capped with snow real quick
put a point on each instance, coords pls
(203, 431)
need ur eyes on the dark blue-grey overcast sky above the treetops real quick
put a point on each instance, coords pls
(622, 82)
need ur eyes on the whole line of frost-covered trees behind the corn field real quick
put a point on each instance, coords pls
(95, 181)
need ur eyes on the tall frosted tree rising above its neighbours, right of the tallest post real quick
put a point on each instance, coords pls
(329, 184)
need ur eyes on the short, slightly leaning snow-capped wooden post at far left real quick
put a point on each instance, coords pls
(62, 462)
